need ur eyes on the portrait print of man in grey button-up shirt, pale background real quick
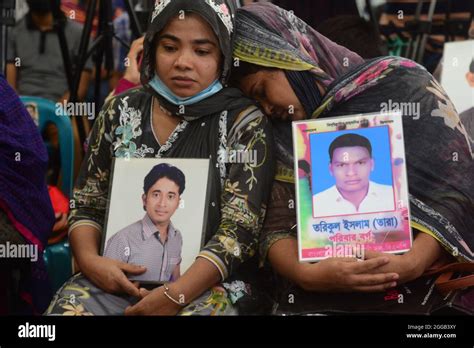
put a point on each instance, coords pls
(156, 215)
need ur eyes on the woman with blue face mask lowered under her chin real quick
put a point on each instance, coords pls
(183, 111)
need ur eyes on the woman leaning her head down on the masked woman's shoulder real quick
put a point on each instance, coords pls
(296, 73)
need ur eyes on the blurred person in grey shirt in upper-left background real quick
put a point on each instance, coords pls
(34, 61)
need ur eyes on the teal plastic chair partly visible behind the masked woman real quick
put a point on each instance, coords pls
(57, 256)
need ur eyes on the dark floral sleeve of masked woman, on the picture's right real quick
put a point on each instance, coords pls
(245, 195)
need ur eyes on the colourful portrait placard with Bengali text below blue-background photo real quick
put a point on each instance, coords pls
(351, 186)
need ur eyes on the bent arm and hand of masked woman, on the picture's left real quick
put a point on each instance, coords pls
(87, 216)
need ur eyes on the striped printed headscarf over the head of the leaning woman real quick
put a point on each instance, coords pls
(270, 36)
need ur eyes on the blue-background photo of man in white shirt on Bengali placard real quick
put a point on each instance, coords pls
(351, 172)
